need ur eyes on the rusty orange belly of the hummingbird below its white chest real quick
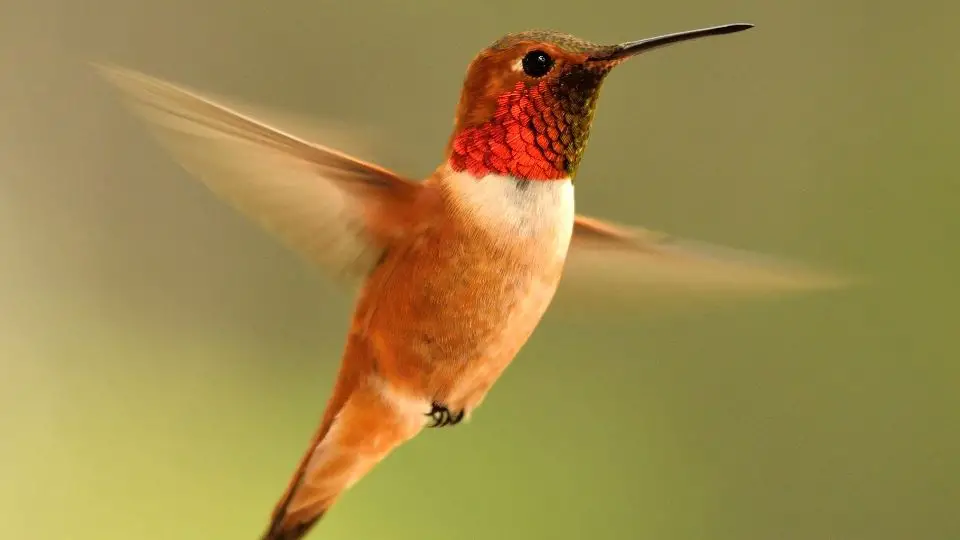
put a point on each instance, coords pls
(446, 312)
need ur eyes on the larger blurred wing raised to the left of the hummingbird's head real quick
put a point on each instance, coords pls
(334, 209)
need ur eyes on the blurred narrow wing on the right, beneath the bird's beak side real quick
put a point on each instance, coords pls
(615, 264)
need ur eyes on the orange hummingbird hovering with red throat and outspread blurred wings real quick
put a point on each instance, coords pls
(454, 271)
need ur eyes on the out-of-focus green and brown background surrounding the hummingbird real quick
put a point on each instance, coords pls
(163, 362)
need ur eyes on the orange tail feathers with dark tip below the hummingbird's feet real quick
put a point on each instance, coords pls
(358, 430)
